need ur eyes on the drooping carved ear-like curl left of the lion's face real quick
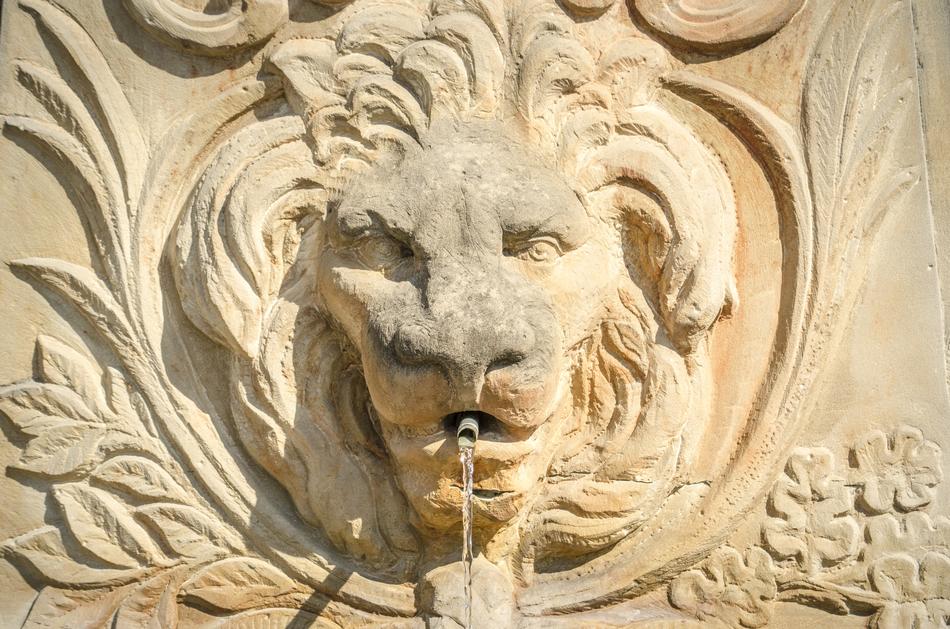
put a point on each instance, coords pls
(239, 235)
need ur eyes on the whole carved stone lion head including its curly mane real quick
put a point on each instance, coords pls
(458, 210)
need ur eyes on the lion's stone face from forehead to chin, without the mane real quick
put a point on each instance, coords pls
(464, 273)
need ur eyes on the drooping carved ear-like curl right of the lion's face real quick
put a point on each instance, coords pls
(670, 186)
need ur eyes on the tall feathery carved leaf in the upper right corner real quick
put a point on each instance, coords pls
(857, 110)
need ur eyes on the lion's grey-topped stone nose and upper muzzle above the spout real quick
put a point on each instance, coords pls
(485, 344)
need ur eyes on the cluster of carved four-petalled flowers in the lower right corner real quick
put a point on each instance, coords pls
(830, 552)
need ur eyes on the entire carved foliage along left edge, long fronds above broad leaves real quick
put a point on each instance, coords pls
(134, 525)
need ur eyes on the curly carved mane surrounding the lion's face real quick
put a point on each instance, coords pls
(368, 90)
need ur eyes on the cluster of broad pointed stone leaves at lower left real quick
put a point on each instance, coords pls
(129, 511)
